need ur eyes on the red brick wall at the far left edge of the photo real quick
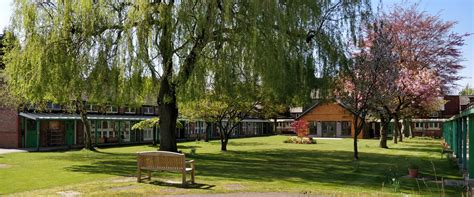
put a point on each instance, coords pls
(9, 136)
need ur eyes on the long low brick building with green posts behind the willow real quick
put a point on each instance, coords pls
(54, 127)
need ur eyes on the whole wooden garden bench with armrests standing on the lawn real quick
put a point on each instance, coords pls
(164, 161)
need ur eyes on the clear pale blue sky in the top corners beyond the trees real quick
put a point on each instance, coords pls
(460, 11)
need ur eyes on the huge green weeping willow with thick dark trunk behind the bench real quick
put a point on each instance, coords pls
(116, 51)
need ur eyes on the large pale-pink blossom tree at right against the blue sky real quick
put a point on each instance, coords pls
(429, 60)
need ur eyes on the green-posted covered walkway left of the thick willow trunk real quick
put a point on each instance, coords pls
(44, 131)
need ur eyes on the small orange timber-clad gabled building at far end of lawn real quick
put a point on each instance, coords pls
(329, 120)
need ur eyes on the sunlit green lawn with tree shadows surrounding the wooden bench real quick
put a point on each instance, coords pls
(260, 164)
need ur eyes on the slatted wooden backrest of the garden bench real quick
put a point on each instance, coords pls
(161, 160)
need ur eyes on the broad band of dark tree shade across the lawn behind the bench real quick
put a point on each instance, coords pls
(289, 165)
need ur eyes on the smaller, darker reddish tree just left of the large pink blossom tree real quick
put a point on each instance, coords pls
(360, 82)
